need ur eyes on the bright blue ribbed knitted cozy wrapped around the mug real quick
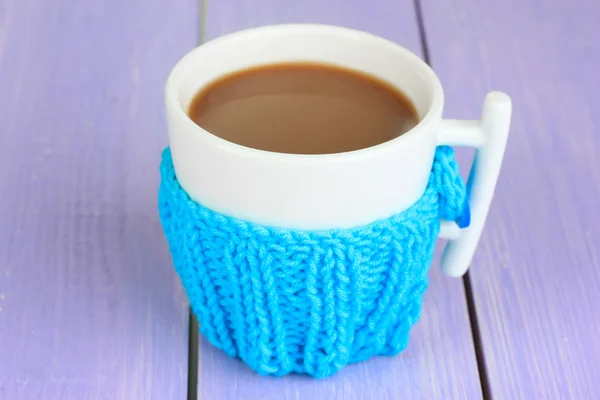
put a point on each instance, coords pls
(307, 302)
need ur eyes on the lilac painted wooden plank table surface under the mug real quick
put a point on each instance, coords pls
(90, 306)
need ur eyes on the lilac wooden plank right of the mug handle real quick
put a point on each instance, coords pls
(537, 273)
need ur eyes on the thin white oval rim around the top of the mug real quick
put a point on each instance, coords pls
(433, 113)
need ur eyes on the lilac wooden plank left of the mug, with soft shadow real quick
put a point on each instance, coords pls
(90, 306)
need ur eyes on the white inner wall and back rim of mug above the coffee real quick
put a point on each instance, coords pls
(307, 43)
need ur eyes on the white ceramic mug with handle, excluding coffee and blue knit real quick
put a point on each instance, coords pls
(343, 190)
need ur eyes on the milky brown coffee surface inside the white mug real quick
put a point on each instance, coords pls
(303, 108)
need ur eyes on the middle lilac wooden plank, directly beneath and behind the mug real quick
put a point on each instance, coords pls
(440, 361)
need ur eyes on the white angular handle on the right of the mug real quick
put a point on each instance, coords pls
(488, 136)
